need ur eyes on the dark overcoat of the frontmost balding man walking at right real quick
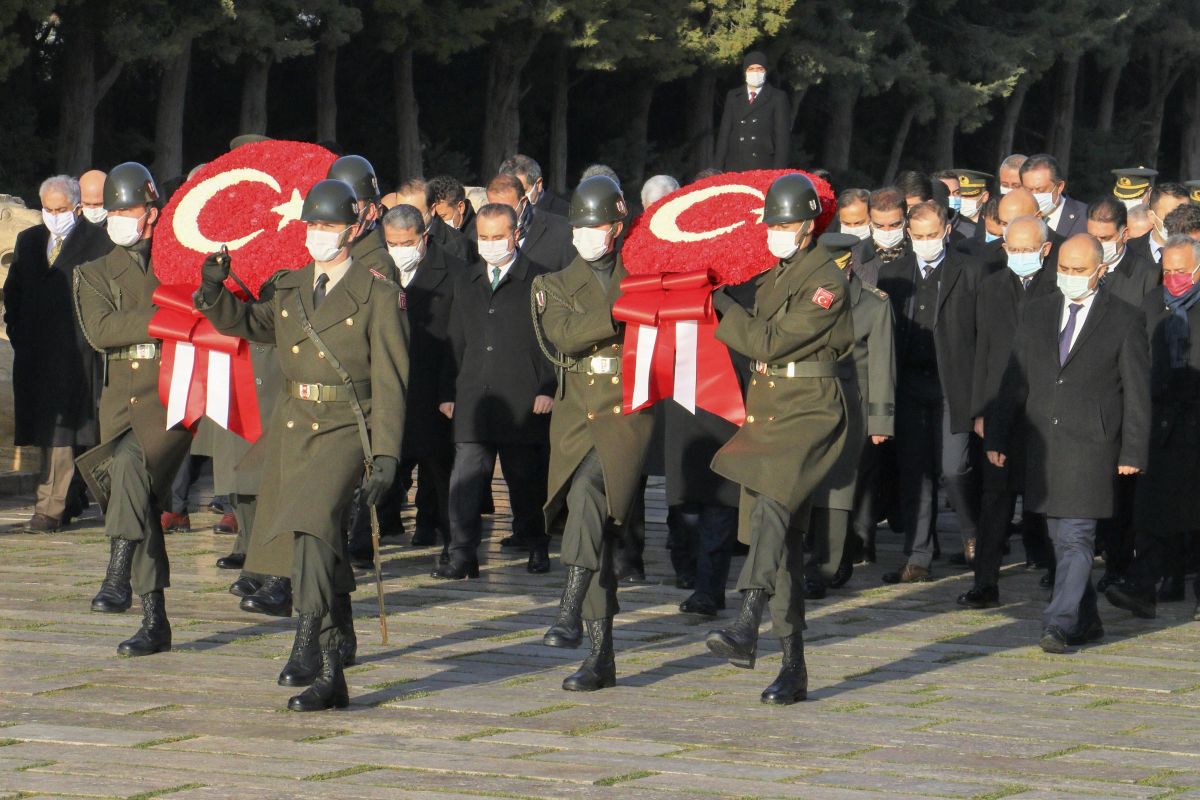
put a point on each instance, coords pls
(1084, 418)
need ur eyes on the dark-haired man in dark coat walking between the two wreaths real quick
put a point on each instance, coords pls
(502, 398)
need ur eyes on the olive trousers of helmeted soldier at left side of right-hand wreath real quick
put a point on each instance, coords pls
(587, 540)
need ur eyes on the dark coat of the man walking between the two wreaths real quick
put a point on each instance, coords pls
(499, 365)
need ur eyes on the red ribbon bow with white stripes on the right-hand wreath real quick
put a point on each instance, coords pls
(671, 348)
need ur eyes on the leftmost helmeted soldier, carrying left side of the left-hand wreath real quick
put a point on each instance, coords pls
(133, 470)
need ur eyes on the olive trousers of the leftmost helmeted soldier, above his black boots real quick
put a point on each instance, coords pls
(134, 515)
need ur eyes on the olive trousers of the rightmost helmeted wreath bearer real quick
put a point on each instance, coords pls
(776, 563)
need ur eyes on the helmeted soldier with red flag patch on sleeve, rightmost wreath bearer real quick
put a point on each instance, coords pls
(800, 335)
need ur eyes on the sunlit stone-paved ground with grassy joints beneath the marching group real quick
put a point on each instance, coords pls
(910, 696)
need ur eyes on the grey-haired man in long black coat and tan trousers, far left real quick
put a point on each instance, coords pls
(56, 375)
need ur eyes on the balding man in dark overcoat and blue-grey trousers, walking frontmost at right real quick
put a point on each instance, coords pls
(1081, 374)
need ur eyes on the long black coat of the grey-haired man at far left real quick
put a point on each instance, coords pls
(57, 376)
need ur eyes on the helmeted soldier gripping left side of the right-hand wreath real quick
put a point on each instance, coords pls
(596, 452)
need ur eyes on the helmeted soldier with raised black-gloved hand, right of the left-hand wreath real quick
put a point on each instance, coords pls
(343, 342)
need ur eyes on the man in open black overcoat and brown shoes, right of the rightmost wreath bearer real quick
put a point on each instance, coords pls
(933, 293)
